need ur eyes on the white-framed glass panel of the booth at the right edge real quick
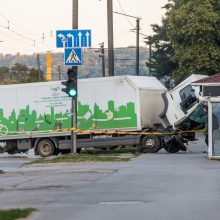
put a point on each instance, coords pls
(214, 128)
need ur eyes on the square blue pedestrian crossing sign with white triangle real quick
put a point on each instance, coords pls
(73, 57)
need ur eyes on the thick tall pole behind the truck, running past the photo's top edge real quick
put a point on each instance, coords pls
(110, 38)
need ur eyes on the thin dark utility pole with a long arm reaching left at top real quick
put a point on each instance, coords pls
(137, 40)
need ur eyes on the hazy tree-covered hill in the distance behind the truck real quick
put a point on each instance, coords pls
(92, 64)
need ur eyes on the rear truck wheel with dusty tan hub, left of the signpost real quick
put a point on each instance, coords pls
(45, 148)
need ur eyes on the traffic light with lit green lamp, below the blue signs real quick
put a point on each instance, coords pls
(70, 84)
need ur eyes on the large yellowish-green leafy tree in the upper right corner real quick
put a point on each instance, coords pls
(193, 30)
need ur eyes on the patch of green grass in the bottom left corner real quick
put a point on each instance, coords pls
(12, 214)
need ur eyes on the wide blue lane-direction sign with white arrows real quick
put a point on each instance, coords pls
(73, 38)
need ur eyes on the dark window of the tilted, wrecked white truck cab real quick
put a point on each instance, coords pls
(188, 98)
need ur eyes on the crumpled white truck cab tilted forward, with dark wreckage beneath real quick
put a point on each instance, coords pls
(182, 112)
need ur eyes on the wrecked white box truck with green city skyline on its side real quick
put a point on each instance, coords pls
(38, 115)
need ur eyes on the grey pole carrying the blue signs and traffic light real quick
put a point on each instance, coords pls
(74, 68)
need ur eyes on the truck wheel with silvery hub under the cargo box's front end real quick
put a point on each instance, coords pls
(150, 144)
